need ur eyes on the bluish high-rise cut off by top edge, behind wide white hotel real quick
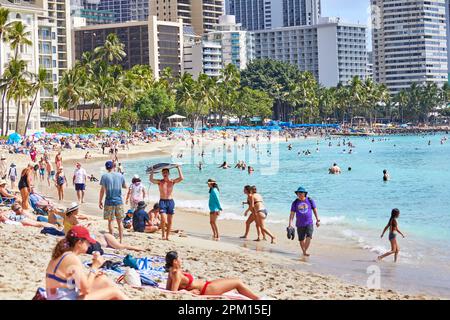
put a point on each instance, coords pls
(269, 14)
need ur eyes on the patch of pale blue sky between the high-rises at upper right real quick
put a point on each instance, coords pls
(355, 11)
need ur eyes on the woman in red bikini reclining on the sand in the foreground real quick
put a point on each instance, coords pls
(179, 280)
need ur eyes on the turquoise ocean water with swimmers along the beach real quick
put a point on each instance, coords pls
(355, 204)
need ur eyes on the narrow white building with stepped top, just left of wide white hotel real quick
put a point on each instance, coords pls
(237, 44)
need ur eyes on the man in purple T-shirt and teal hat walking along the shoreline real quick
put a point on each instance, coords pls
(302, 208)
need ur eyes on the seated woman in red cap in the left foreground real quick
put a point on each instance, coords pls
(65, 276)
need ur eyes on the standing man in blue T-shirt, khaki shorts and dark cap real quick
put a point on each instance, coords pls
(112, 184)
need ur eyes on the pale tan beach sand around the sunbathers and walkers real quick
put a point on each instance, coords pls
(25, 252)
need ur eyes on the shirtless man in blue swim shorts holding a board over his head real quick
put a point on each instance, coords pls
(166, 203)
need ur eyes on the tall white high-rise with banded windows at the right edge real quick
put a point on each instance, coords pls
(409, 42)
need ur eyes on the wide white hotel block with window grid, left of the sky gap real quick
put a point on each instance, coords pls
(334, 52)
